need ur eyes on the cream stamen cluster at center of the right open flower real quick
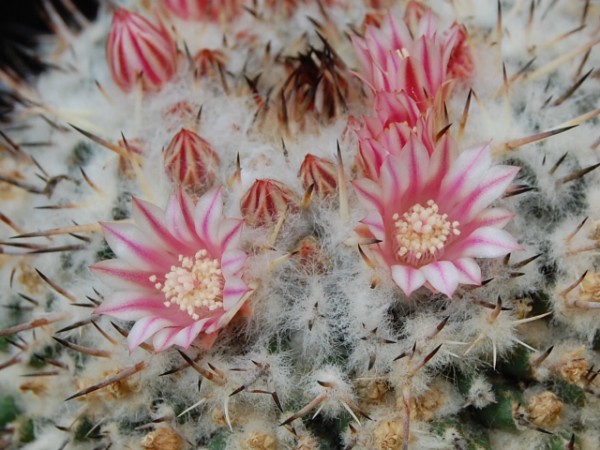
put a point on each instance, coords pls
(421, 232)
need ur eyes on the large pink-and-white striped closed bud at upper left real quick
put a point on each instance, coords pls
(137, 48)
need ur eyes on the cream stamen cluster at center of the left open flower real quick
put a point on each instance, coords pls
(196, 283)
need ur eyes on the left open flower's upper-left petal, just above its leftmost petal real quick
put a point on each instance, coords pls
(132, 246)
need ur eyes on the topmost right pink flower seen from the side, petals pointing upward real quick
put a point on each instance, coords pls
(421, 66)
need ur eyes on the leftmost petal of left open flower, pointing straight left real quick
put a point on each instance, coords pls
(121, 276)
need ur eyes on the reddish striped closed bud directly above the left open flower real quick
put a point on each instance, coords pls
(191, 162)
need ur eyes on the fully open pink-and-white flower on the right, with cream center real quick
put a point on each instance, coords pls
(432, 215)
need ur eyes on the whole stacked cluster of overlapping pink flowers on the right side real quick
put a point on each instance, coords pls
(427, 203)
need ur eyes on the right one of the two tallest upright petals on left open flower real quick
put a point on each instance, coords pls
(208, 216)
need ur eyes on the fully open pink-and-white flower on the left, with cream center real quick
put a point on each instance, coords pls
(178, 273)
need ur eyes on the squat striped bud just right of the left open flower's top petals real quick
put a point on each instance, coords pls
(265, 201)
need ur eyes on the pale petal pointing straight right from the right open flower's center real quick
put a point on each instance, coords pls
(485, 242)
